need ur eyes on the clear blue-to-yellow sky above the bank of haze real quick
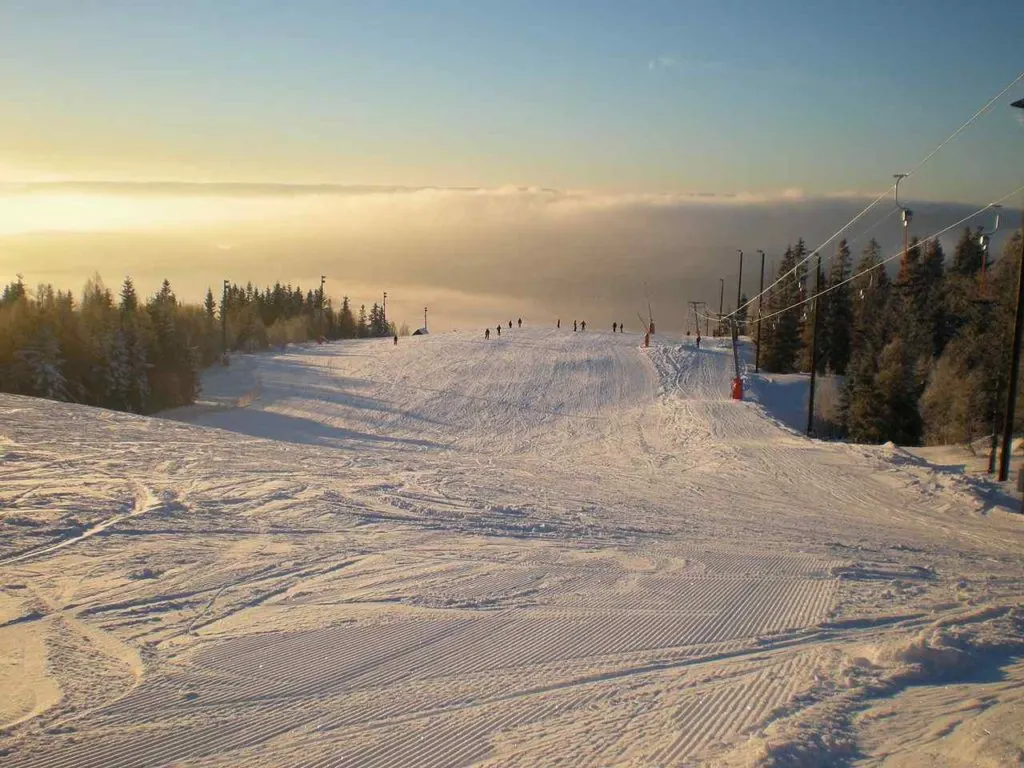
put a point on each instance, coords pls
(645, 97)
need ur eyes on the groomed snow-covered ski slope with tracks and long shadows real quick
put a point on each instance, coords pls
(549, 549)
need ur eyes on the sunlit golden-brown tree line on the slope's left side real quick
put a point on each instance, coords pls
(126, 354)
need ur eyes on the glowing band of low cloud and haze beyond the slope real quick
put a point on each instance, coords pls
(474, 257)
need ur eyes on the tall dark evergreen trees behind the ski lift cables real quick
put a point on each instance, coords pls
(923, 356)
